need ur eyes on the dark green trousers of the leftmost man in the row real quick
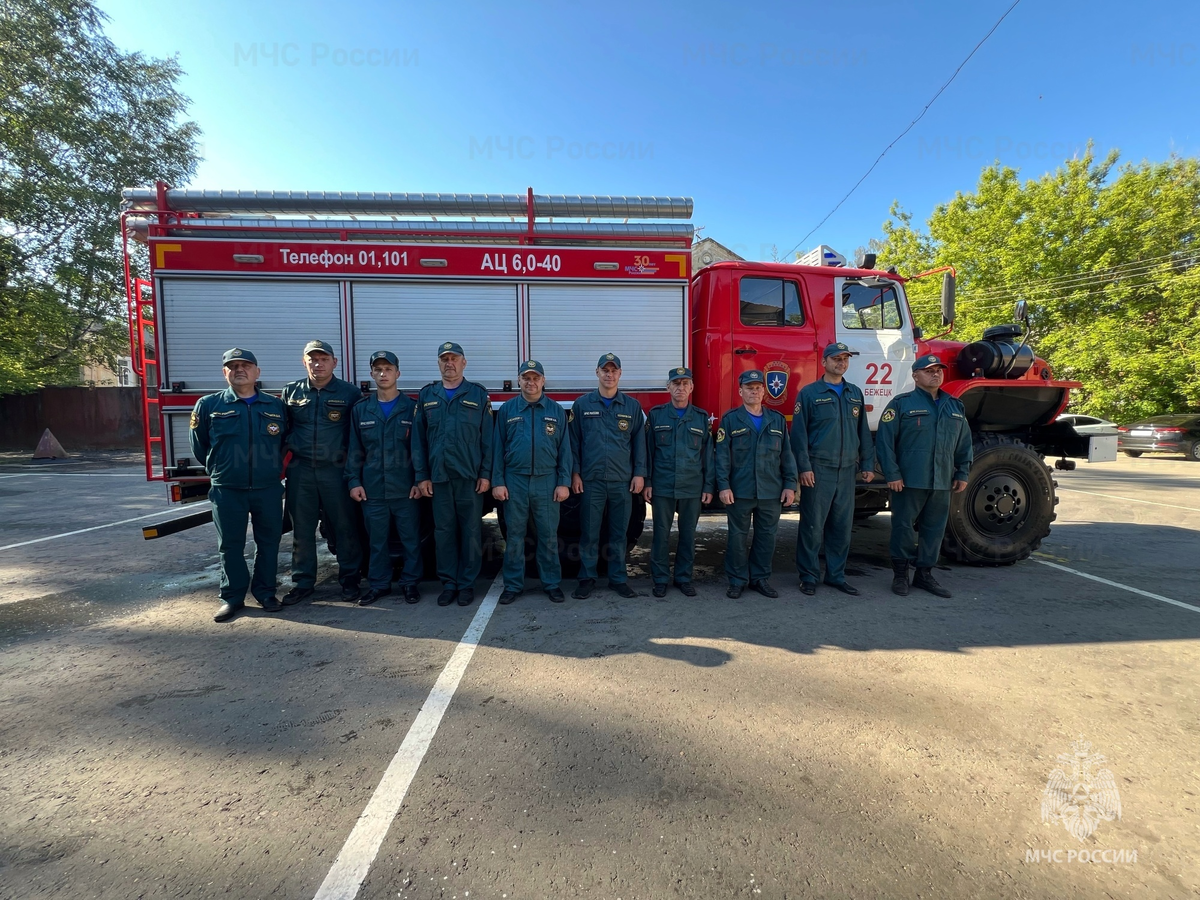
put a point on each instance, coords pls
(232, 508)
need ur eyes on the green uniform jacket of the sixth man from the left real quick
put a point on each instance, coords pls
(608, 443)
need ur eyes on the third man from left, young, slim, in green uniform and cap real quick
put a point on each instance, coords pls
(380, 477)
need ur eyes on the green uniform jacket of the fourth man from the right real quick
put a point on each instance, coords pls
(681, 453)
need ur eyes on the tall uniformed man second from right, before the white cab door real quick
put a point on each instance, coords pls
(832, 442)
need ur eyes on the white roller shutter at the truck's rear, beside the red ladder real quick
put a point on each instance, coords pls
(273, 320)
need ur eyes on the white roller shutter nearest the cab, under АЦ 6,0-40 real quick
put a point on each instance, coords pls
(572, 326)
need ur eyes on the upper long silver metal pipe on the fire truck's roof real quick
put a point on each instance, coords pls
(409, 205)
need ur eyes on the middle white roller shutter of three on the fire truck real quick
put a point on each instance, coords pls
(411, 320)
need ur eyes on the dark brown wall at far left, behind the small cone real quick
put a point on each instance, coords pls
(81, 418)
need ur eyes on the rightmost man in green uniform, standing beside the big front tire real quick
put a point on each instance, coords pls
(925, 449)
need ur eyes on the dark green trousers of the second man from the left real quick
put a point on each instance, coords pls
(313, 491)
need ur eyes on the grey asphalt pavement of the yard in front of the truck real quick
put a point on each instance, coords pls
(707, 748)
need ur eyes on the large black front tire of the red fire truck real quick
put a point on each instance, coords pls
(1007, 508)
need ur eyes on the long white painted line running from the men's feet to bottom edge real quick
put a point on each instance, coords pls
(362, 848)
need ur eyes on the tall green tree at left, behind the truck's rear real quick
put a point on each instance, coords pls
(80, 121)
